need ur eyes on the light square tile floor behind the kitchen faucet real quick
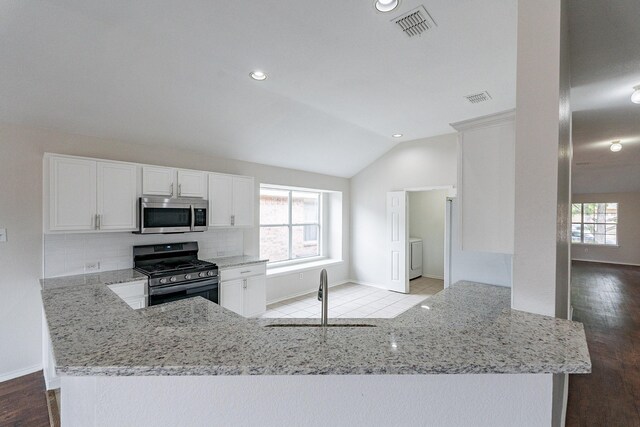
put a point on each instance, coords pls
(357, 301)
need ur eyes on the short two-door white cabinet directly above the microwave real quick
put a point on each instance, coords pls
(170, 182)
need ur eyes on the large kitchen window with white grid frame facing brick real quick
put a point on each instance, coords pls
(290, 222)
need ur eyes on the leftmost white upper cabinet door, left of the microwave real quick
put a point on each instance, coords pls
(72, 194)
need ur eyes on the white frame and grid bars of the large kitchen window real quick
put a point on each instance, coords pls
(291, 224)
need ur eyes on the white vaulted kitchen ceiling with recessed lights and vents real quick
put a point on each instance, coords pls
(342, 77)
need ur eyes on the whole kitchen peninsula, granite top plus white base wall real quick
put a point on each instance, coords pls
(192, 362)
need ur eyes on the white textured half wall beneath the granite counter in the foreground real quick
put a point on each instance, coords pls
(484, 400)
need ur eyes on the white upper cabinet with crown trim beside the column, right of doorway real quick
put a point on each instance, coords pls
(486, 173)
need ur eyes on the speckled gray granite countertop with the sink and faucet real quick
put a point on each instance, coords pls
(468, 328)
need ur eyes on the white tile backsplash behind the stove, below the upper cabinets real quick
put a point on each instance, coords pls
(68, 254)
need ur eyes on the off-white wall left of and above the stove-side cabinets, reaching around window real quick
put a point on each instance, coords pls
(21, 260)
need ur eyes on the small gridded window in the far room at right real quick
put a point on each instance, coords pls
(594, 223)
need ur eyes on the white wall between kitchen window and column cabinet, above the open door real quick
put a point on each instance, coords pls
(421, 163)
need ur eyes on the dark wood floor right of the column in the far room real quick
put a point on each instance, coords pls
(606, 298)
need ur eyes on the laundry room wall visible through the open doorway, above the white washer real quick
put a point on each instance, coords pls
(426, 221)
